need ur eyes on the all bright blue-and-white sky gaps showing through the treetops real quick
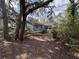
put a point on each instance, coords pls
(57, 3)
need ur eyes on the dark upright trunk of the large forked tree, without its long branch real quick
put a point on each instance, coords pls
(24, 20)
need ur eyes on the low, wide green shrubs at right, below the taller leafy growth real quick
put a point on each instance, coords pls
(68, 33)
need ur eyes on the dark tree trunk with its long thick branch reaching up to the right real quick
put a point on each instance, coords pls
(27, 9)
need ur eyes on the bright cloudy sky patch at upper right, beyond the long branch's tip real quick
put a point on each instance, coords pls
(60, 8)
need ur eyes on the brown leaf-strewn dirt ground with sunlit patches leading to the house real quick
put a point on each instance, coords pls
(35, 46)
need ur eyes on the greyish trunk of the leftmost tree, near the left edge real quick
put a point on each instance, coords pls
(5, 20)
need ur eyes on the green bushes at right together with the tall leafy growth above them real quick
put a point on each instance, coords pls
(69, 31)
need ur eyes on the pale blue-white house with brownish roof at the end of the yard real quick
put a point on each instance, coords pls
(38, 27)
